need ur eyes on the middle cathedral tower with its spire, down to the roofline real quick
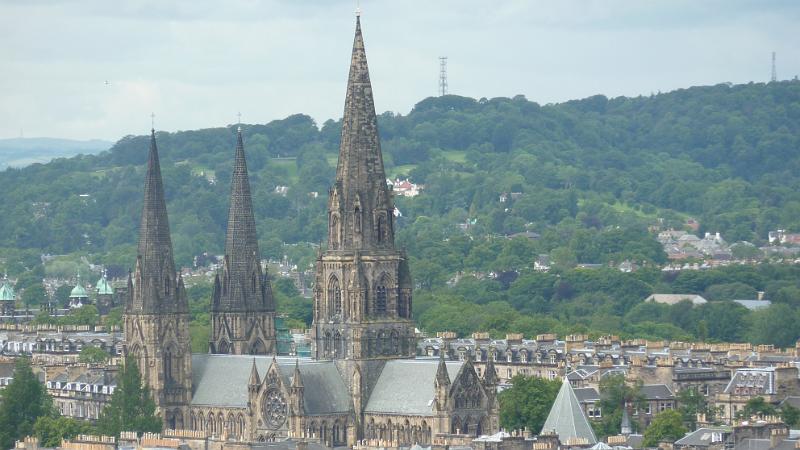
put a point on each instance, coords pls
(242, 307)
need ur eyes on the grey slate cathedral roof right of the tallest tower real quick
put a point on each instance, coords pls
(407, 387)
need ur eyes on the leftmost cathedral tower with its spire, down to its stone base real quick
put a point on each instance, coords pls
(156, 318)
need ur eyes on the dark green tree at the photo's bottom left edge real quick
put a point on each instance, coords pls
(22, 402)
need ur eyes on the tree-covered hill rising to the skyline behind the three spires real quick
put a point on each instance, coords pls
(592, 175)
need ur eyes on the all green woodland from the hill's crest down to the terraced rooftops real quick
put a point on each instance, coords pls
(588, 178)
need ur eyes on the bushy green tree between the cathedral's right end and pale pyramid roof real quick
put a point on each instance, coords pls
(527, 402)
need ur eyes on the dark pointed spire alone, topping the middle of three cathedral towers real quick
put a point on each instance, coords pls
(243, 285)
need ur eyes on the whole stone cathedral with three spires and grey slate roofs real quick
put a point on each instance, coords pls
(363, 382)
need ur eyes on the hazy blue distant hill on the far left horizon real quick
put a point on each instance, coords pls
(21, 152)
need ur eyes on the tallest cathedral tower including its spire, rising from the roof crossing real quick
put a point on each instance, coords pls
(362, 291)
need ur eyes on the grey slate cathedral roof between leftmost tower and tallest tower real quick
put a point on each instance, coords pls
(222, 380)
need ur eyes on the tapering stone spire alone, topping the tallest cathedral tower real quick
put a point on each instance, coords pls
(360, 199)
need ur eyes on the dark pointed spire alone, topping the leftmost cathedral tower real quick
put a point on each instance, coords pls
(156, 287)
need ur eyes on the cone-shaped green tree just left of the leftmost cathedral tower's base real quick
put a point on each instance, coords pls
(131, 407)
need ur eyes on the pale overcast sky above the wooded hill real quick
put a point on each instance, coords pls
(197, 63)
